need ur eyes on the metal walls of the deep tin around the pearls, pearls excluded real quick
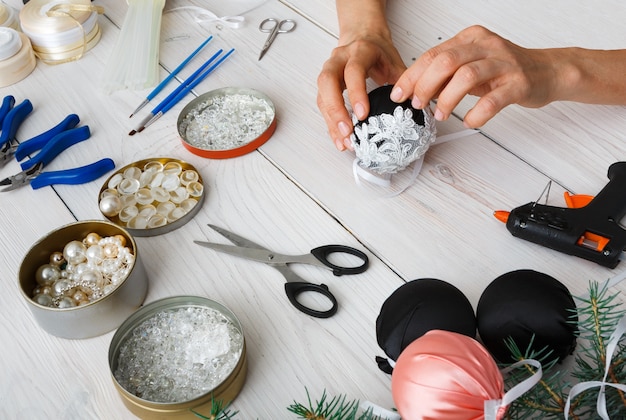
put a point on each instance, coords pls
(97, 317)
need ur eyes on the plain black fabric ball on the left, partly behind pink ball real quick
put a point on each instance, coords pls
(417, 307)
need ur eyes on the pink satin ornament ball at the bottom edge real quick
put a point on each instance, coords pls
(445, 375)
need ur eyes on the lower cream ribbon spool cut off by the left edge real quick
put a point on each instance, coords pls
(17, 59)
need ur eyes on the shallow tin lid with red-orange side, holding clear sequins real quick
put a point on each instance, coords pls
(227, 122)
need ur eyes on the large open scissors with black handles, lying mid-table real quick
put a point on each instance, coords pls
(295, 284)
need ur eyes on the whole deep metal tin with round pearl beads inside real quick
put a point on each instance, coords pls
(83, 279)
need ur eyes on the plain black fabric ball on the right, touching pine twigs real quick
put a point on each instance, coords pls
(523, 303)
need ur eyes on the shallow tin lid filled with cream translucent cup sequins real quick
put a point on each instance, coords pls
(152, 196)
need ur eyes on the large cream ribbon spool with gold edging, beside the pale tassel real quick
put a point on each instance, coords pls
(61, 32)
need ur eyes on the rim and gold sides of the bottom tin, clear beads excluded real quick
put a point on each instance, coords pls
(225, 392)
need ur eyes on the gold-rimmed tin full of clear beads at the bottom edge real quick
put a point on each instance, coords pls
(176, 356)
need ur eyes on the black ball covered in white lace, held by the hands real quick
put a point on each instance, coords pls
(393, 135)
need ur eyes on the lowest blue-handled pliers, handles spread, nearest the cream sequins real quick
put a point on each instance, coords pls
(51, 146)
